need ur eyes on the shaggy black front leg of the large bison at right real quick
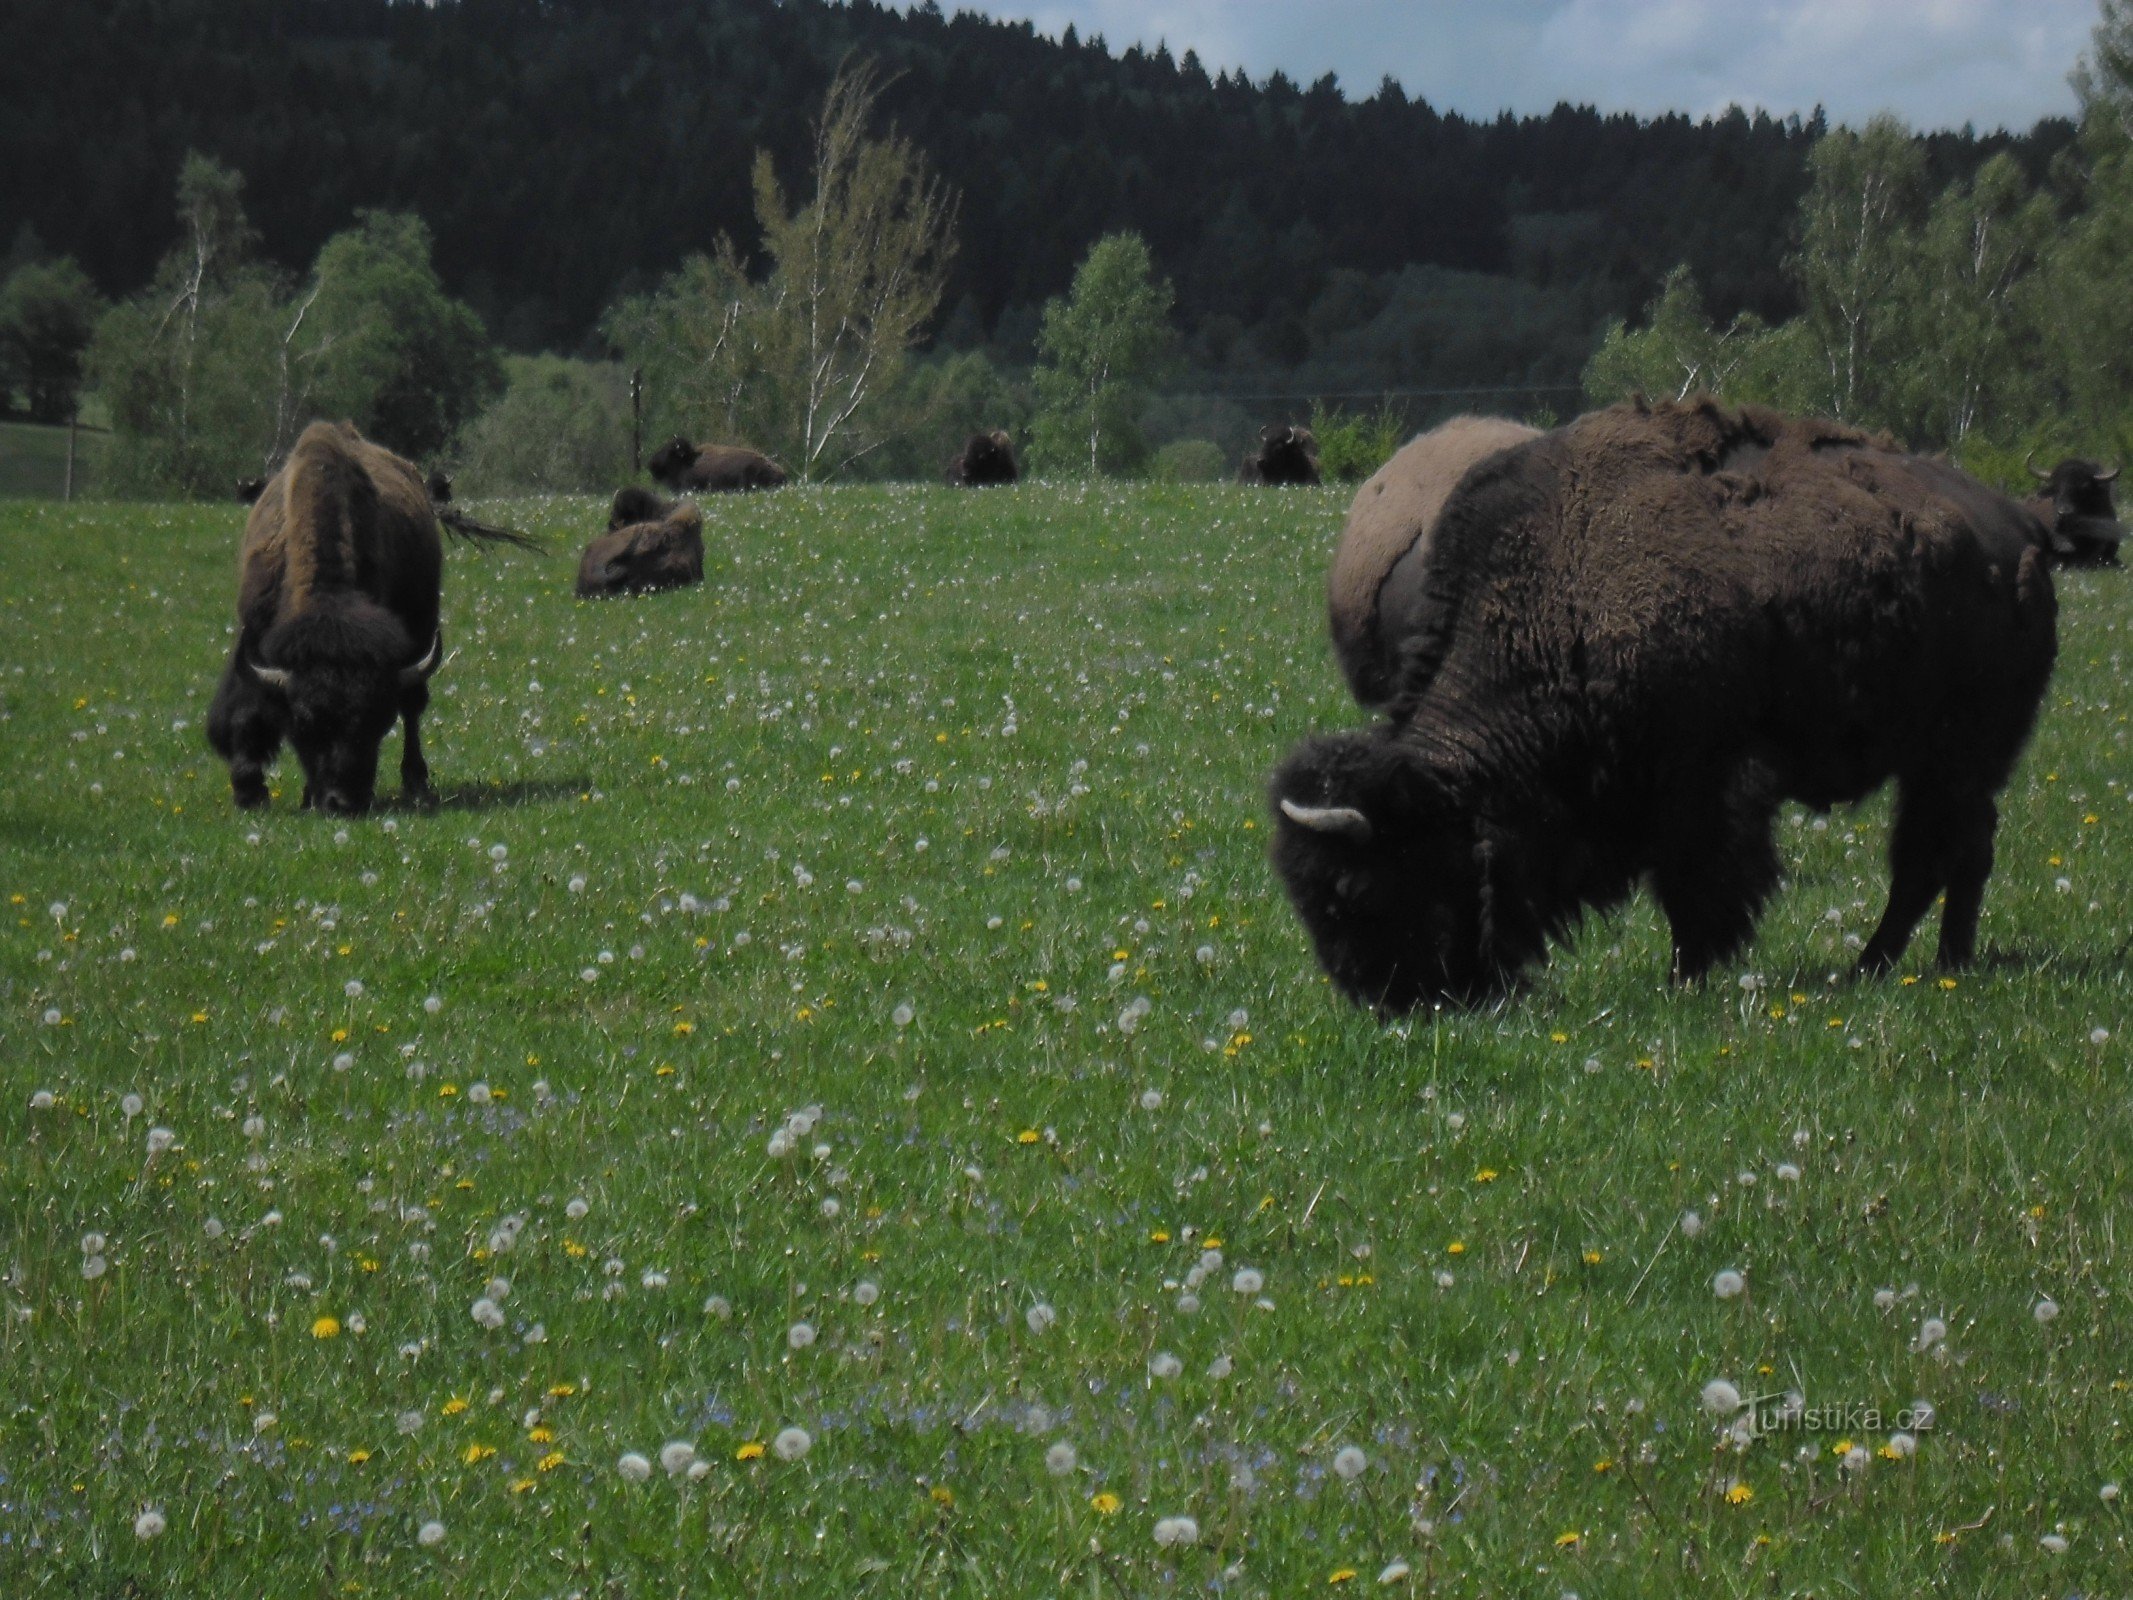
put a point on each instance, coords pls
(1716, 869)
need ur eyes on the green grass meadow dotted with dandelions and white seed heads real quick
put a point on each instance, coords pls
(852, 997)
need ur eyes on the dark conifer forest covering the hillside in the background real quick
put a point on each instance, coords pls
(1328, 246)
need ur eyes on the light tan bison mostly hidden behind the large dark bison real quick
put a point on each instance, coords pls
(1377, 594)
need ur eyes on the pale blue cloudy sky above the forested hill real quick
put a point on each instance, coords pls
(1934, 63)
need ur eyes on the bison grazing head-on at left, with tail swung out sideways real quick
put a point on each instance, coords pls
(338, 588)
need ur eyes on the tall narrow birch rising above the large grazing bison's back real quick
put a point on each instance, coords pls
(1859, 231)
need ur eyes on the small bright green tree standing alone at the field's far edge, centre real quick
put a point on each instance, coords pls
(1097, 351)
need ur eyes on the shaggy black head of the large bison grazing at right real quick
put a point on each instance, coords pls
(1411, 897)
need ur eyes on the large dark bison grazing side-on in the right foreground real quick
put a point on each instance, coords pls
(1641, 635)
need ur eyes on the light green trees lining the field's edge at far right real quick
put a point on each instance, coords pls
(1987, 317)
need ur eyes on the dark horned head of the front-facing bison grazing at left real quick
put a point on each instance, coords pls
(344, 673)
